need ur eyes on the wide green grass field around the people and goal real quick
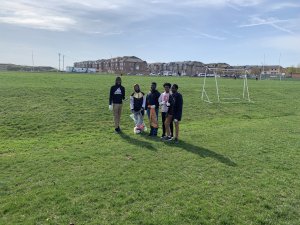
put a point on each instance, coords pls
(61, 163)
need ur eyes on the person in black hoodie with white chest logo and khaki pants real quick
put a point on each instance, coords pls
(116, 97)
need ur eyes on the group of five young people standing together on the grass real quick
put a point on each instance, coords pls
(170, 103)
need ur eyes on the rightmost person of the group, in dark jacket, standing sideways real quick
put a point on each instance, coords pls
(175, 105)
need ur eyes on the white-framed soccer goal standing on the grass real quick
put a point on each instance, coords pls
(237, 92)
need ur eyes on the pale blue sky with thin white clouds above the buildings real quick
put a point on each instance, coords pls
(237, 32)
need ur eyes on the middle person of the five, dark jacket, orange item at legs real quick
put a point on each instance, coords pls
(153, 103)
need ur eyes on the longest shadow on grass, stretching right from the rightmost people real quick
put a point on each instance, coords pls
(203, 152)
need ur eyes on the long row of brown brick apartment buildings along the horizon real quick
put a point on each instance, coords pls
(134, 65)
